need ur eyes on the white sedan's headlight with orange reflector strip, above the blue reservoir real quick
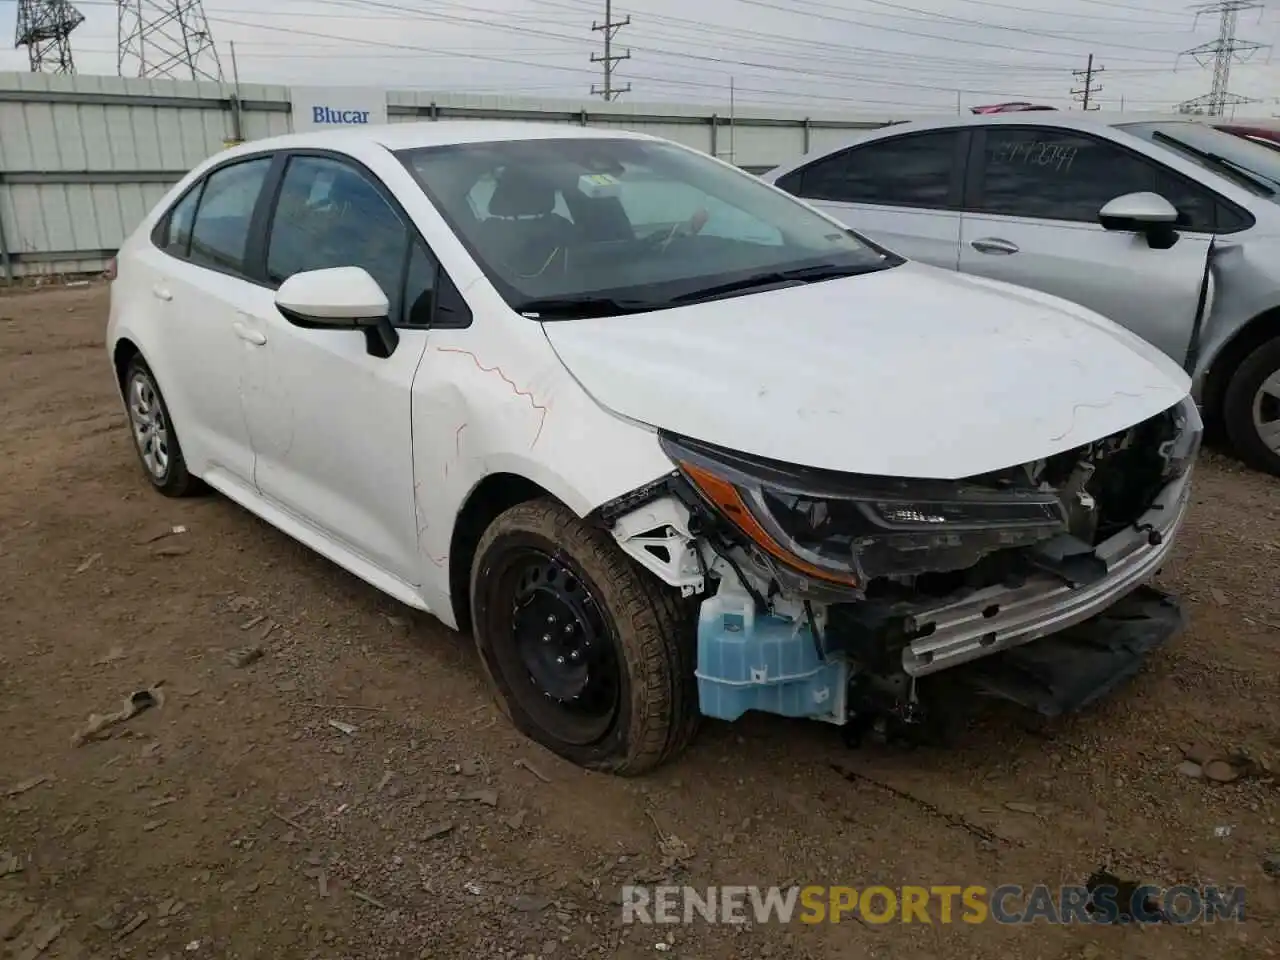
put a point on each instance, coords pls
(852, 529)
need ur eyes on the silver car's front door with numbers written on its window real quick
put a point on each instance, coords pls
(1031, 218)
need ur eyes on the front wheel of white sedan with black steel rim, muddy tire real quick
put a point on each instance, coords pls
(625, 625)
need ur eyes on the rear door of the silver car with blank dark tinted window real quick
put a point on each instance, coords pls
(903, 193)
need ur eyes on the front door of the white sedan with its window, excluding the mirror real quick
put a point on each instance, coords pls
(331, 423)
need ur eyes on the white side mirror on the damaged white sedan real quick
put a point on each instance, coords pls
(340, 298)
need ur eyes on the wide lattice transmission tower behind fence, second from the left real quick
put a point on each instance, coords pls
(166, 39)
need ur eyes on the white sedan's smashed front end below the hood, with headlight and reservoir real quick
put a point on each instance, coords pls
(831, 596)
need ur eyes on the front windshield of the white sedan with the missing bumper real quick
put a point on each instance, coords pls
(582, 227)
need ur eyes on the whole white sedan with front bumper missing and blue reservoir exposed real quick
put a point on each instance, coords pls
(668, 441)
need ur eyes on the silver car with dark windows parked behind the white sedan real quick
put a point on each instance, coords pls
(1168, 227)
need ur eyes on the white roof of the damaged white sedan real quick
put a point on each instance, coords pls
(433, 134)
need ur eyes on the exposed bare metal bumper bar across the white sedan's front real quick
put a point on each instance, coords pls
(1002, 619)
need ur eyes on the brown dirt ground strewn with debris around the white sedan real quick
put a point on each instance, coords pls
(353, 793)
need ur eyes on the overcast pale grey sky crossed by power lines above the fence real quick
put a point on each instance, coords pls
(844, 57)
